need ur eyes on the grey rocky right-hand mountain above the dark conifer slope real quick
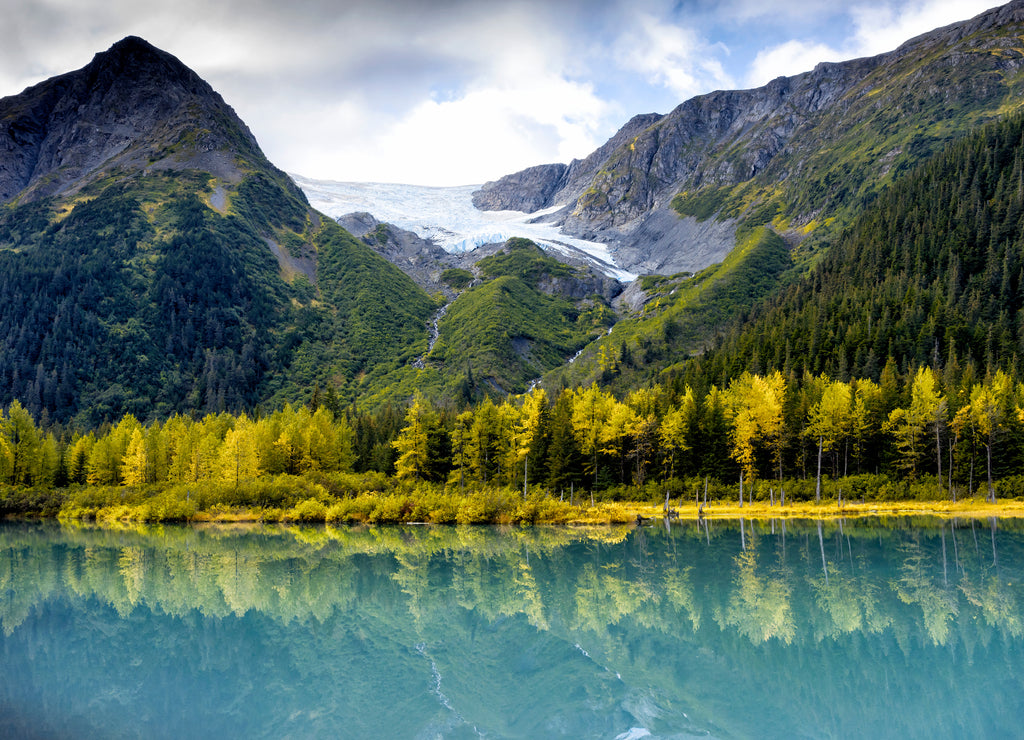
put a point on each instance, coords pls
(802, 154)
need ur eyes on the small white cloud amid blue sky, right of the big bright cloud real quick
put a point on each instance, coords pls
(673, 57)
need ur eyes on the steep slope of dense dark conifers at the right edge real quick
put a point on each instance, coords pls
(932, 274)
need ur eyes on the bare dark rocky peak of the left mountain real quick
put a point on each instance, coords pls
(133, 107)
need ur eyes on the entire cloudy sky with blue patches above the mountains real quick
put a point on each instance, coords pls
(453, 93)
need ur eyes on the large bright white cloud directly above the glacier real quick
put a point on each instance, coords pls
(511, 104)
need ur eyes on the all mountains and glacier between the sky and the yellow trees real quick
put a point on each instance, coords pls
(153, 262)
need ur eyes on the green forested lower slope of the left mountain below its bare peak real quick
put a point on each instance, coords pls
(138, 295)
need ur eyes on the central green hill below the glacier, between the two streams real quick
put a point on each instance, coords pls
(515, 314)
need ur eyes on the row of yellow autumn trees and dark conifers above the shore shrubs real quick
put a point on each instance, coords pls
(960, 433)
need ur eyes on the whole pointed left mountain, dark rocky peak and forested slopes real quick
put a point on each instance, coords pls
(153, 260)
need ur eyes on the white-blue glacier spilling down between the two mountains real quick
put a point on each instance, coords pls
(447, 216)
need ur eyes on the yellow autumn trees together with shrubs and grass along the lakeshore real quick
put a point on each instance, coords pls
(766, 441)
